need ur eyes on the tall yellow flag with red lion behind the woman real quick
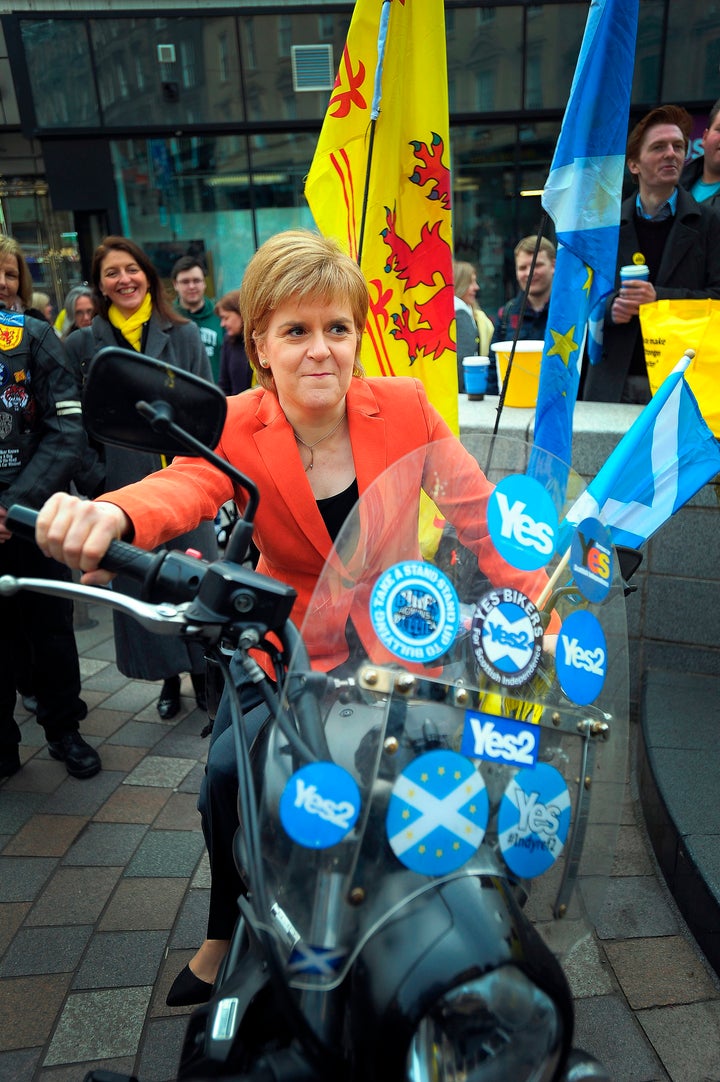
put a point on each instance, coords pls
(381, 184)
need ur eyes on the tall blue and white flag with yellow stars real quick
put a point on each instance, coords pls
(583, 196)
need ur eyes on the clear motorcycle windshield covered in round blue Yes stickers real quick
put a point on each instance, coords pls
(474, 720)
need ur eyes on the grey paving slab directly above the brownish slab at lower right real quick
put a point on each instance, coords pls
(636, 906)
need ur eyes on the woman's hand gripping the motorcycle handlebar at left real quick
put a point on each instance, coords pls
(78, 533)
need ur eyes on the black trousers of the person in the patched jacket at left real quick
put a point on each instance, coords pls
(41, 628)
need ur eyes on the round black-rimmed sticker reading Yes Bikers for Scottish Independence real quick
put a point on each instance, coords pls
(507, 637)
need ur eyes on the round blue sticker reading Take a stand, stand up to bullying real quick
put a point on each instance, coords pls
(415, 612)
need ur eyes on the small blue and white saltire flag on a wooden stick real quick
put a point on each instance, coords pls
(666, 456)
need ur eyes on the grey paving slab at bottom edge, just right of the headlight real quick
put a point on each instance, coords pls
(606, 1028)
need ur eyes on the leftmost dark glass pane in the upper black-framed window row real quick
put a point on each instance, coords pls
(60, 89)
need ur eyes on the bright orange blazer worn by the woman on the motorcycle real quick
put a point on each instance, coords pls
(388, 418)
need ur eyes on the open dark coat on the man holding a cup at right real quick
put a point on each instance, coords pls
(690, 268)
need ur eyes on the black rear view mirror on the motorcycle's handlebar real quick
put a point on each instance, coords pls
(120, 379)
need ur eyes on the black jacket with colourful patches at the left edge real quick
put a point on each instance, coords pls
(42, 434)
